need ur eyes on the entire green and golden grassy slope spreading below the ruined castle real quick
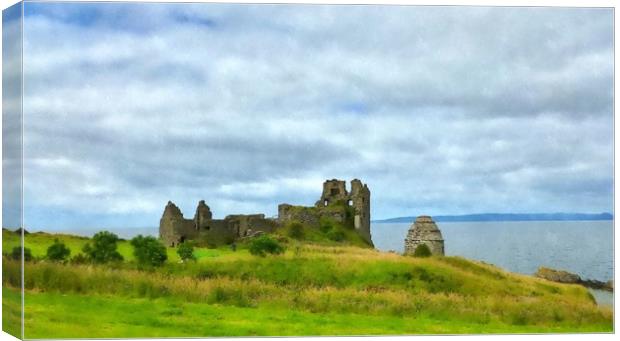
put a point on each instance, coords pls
(319, 288)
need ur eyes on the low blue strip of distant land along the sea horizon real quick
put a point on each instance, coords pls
(507, 217)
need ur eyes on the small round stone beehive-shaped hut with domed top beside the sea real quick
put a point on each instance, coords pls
(424, 231)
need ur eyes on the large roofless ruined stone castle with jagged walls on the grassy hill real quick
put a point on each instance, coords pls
(351, 209)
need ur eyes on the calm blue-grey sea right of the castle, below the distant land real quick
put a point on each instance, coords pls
(582, 247)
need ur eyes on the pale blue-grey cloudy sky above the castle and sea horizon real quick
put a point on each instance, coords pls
(440, 110)
